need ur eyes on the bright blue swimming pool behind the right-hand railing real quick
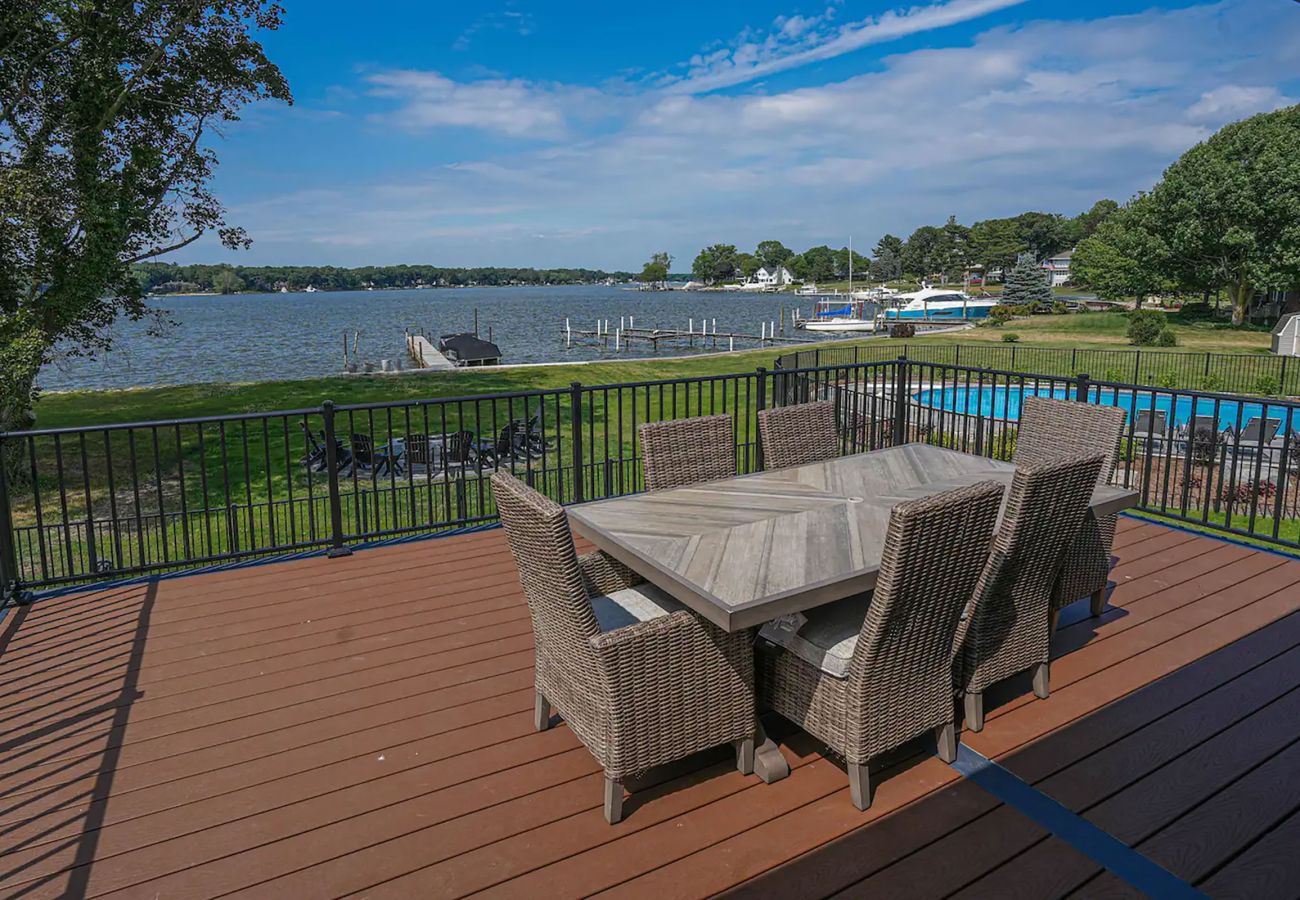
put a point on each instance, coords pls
(1004, 403)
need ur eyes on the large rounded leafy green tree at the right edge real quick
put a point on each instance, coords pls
(1229, 210)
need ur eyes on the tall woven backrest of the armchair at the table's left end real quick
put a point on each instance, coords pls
(543, 547)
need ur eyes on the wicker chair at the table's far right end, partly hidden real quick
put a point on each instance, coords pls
(1050, 429)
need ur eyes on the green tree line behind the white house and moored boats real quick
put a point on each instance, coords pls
(933, 252)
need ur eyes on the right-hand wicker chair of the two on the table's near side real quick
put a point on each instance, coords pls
(1006, 631)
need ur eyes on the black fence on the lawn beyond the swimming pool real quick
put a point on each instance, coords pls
(1238, 374)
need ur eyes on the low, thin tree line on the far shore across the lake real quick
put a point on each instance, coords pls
(170, 278)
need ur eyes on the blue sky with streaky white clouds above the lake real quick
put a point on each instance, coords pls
(532, 133)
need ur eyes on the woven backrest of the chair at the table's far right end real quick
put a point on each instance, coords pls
(1052, 429)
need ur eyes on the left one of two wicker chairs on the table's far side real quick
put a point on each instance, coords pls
(683, 452)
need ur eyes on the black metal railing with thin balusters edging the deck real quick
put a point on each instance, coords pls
(99, 503)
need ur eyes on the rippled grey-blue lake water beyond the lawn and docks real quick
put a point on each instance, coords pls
(262, 337)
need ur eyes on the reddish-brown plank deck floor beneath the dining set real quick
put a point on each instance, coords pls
(365, 726)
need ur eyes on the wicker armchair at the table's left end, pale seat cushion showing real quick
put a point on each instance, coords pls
(639, 678)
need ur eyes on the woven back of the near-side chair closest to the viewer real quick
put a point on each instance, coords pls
(902, 669)
